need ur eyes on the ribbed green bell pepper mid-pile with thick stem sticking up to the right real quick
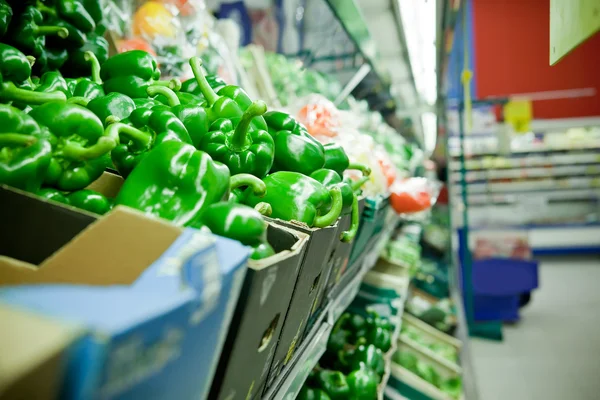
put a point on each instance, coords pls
(242, 149)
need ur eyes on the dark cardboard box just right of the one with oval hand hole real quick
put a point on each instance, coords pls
(306, 297)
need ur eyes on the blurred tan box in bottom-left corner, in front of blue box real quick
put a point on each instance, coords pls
(33, 354)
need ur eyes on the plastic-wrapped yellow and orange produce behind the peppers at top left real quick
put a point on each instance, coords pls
(173, 31)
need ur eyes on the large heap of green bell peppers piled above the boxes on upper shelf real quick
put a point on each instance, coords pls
(200, 154)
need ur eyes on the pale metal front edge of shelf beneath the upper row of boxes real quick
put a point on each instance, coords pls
(290, 381)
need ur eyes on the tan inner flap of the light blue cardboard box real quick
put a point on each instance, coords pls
(114, 250)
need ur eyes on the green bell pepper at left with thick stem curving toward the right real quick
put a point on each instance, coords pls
(81, 146)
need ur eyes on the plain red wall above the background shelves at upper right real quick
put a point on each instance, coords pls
(511, 52)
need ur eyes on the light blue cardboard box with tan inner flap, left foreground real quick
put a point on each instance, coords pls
(156, 298)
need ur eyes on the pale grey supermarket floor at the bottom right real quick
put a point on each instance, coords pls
(554, 352)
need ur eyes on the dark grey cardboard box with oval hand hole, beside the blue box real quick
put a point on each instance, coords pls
(259, 317)
